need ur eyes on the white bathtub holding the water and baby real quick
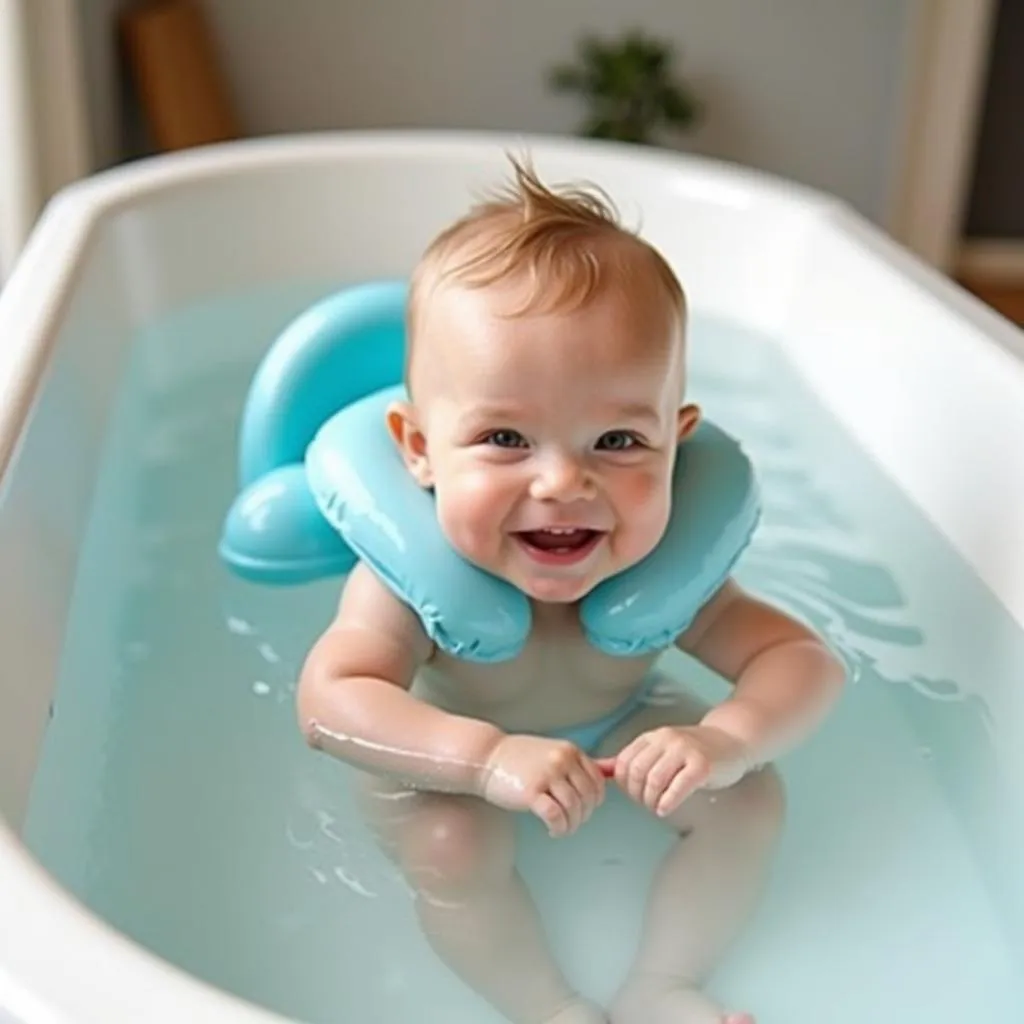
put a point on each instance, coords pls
(860, 319)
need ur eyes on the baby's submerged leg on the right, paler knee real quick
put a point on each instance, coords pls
(704, 891)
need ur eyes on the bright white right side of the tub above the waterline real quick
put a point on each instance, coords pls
(929, 382)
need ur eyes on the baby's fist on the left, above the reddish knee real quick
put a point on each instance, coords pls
(551, 779)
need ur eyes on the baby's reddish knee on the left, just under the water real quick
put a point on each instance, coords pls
(457, 844)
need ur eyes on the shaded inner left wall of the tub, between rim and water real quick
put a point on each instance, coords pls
(46, 501)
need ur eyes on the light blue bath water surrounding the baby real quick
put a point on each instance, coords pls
(178, 800)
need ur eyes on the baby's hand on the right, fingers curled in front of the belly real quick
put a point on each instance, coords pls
(660, 770)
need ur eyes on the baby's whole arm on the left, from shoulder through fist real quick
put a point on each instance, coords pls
(355, 703)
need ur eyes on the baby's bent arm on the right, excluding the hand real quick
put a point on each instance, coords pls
(786, 679)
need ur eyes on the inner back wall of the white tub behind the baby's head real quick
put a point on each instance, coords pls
(737, 248)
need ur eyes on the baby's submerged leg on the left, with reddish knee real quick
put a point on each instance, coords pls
(459, 856)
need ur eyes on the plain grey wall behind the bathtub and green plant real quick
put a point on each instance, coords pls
(806, 89)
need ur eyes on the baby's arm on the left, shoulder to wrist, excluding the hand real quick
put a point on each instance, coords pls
(354, 699)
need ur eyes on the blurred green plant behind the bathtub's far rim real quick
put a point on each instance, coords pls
(629, 88)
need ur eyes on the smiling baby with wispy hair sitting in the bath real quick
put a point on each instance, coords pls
(546, 367)
